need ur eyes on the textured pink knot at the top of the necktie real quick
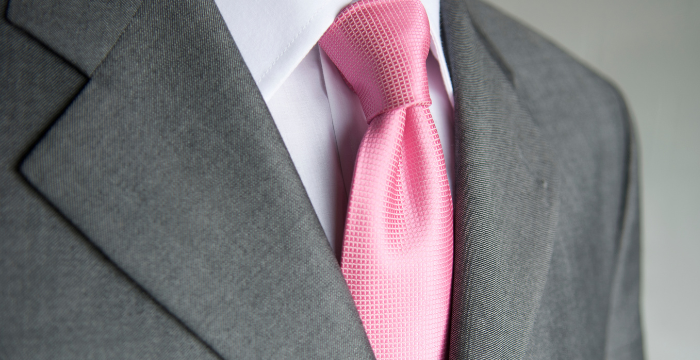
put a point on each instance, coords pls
(380, 48)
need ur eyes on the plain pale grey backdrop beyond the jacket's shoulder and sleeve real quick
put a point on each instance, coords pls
(651, 50)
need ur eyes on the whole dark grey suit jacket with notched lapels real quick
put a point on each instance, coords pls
(150, 210)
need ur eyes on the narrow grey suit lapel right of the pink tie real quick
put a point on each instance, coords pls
(506, 200)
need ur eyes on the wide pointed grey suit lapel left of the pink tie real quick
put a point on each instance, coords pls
(170, 163)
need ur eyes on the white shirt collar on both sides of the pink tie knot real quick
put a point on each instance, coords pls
(274, 36)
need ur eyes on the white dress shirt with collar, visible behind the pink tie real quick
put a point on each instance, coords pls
(319, 118)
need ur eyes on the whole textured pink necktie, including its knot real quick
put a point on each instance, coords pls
(397, 250)
